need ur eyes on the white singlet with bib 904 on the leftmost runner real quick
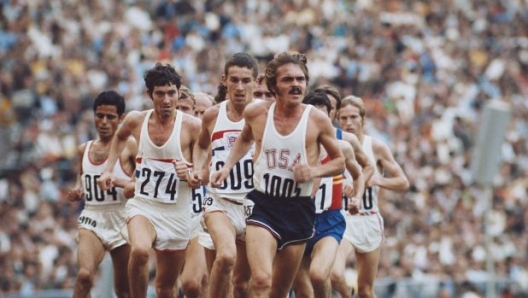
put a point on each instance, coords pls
(91, 173)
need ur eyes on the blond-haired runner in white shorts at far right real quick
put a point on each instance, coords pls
(364, 233)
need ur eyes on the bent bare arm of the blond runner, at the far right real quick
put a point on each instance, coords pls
(395, 177)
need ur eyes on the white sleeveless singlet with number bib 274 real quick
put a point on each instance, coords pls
(156, 178)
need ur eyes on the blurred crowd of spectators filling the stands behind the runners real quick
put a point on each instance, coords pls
(425, 69)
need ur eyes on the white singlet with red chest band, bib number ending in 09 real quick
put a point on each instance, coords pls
(224, 134)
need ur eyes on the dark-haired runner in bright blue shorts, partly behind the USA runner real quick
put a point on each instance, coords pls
(313, 277)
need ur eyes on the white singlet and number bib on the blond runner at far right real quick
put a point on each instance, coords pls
(370, 196)
